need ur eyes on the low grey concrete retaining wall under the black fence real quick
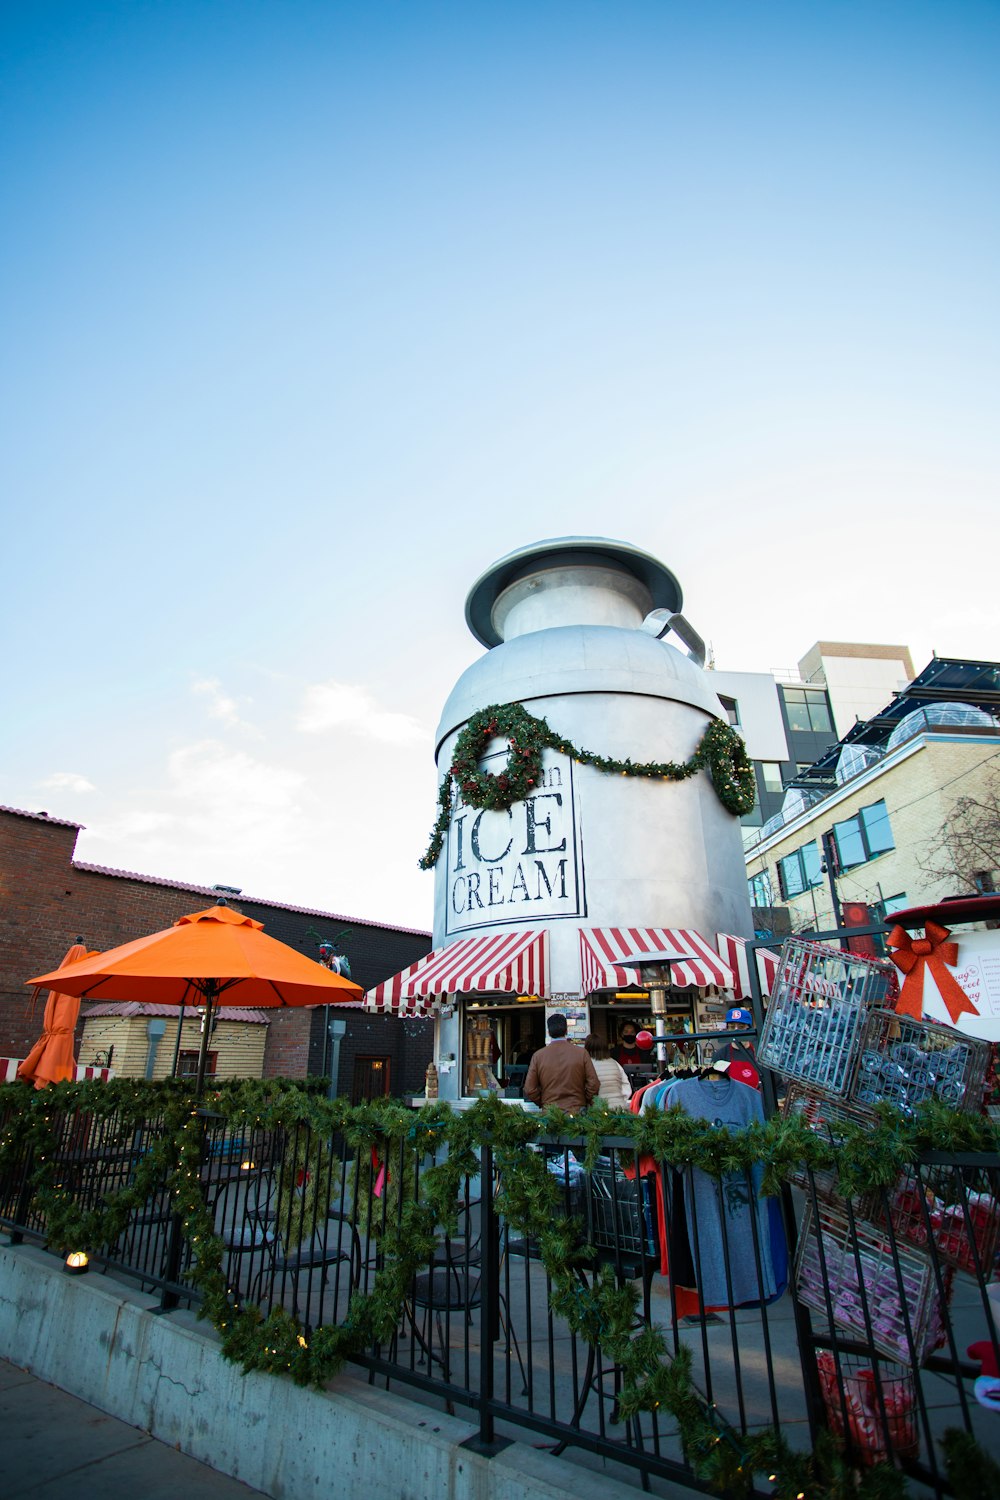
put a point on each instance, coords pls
(166, 1375)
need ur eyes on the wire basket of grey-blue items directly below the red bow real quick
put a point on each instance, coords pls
(908, 1063)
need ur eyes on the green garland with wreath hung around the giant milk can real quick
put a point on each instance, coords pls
(720, 751)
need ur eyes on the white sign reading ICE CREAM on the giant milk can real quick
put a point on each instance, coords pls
(519, 866)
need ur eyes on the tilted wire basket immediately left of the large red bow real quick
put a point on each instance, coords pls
(818, 1012)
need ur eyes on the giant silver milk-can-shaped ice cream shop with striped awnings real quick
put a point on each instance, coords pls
(587, 853)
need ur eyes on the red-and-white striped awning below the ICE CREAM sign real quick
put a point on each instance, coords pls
(501, 964)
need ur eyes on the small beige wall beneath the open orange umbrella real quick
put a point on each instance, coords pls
(239, 1045)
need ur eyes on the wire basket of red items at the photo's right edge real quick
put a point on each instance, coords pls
(951, 1208)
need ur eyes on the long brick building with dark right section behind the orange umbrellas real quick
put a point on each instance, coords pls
(49, 901)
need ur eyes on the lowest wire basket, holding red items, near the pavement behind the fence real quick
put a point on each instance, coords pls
(879, 1402)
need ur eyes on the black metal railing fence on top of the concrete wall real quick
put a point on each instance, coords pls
(797, 1313)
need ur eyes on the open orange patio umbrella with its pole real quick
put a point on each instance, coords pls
(200, 959)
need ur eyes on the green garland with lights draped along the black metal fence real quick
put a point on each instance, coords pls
(603, 1313)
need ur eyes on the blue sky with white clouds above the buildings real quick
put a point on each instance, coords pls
(313, 311)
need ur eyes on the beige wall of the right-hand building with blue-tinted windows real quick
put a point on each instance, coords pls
(920, 785)
